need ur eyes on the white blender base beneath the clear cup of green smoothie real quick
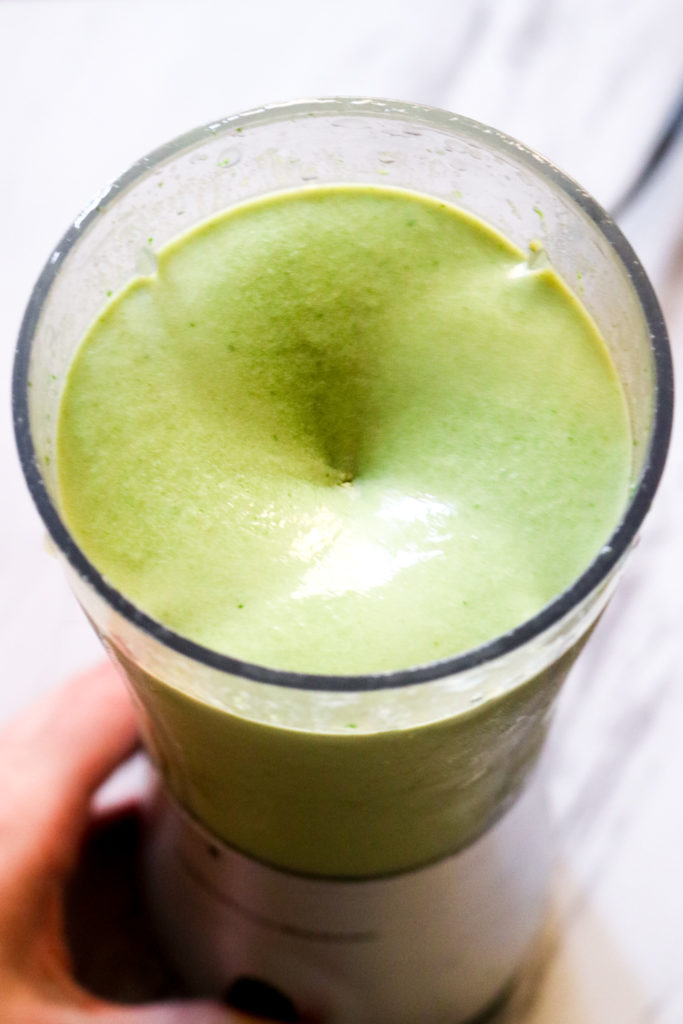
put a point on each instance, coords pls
(439, 945)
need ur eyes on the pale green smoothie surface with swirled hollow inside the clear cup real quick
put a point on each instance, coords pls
(345, 430)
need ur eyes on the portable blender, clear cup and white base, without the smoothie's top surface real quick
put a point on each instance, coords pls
(396, 872)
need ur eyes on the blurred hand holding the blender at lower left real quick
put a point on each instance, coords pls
(53, 759)
